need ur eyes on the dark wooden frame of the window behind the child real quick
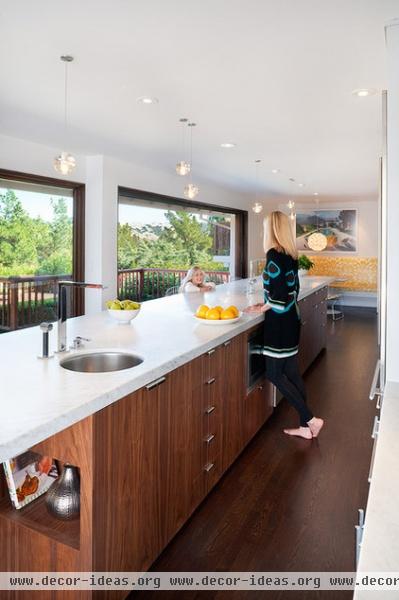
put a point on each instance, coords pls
(241, 237)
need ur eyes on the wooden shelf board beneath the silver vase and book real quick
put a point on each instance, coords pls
(35, 516)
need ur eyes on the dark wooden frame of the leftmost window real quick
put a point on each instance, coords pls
(78, 226)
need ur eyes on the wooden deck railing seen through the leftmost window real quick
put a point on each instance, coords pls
(26, 301)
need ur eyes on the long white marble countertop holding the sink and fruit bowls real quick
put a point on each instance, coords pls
(39, 398)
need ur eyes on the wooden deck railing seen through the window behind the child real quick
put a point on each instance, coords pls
(146, 284)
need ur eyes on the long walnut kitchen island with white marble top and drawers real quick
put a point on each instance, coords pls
(150, 442)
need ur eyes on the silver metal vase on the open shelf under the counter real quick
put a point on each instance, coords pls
(63, 498)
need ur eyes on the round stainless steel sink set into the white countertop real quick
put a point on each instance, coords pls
(101, 362)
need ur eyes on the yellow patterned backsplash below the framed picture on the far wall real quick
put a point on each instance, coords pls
(360, 272)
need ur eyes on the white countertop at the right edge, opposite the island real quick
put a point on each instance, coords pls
(380, 544)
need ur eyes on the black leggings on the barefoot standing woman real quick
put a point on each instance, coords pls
(284, 374)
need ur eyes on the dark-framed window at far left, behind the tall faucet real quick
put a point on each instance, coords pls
(41, 242)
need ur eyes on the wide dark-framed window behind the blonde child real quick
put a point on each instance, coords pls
(160, 237)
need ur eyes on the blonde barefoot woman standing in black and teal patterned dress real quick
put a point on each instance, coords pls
(282, 320)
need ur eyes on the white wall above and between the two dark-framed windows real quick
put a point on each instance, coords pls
(102, 176)
